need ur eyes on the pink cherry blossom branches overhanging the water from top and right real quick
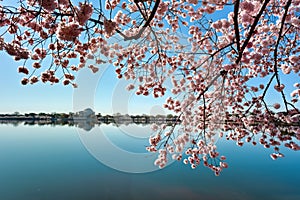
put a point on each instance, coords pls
(225, 59)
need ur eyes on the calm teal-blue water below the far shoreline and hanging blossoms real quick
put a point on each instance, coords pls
(41, 163)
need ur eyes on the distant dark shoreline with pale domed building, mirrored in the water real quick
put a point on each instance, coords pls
(86, 119)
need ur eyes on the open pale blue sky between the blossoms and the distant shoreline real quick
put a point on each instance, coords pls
(109, 95)
